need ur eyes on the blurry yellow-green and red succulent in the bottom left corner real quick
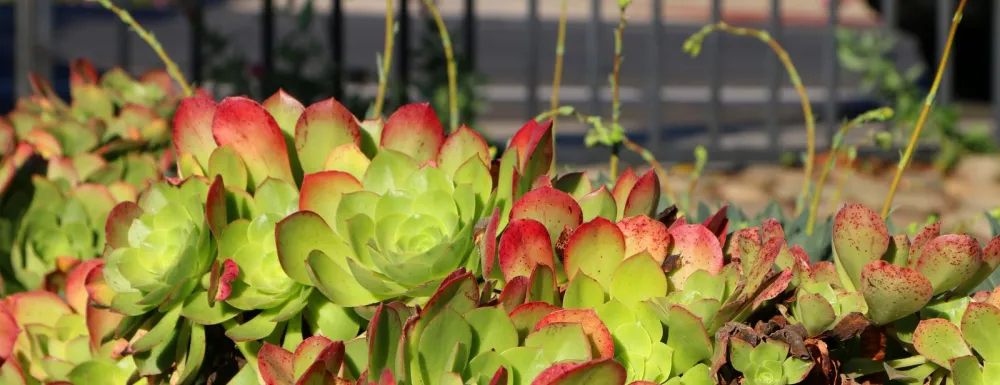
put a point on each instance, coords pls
(49, 339)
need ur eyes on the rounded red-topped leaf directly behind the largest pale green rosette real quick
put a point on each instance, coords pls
(415, 130)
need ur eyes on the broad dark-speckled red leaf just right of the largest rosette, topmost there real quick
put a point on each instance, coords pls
(552, 208)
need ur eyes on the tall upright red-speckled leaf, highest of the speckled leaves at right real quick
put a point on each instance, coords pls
(860, 236)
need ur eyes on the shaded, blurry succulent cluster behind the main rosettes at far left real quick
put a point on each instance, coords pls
(63, 166)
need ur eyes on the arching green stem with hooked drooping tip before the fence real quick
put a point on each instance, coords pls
(693, 45)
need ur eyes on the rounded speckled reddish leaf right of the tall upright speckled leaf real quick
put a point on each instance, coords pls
(949, 260)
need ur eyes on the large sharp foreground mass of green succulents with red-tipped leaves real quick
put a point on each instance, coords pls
(298, 244)
